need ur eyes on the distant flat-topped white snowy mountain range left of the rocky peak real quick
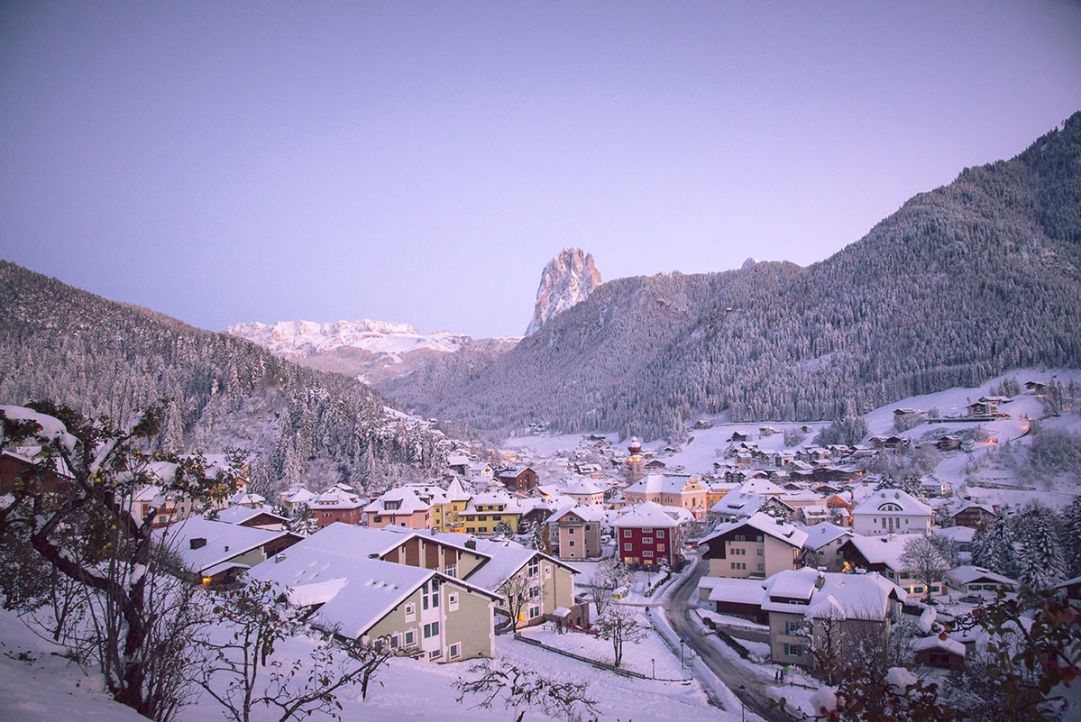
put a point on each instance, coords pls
(373, 352)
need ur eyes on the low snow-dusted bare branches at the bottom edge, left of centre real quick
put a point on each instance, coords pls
(525, 690)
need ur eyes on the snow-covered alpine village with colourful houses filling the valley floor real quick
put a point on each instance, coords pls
(736, 579)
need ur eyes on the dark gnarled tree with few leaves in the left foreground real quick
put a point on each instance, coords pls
(77, 516)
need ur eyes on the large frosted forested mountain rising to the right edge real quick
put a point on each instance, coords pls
(956, 287)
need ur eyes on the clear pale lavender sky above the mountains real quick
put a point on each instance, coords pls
(422, 162)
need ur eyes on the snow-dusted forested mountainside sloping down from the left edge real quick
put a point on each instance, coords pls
(106, 358)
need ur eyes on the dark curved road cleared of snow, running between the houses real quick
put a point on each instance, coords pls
(678, 607)
